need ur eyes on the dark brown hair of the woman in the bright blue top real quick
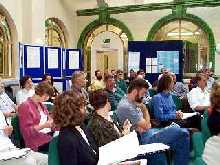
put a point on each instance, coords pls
(164, 83)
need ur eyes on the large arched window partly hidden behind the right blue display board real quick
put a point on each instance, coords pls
(196, 42)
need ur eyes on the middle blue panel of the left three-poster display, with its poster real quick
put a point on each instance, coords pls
(53, 61)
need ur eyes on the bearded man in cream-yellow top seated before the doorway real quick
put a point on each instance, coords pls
(98, 82)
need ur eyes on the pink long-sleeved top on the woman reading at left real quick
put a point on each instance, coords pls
(29, 116)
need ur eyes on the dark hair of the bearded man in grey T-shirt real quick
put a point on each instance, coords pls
(137, 84)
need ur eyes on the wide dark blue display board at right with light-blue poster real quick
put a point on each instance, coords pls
(157, 54)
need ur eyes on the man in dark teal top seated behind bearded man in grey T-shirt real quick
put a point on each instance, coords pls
(114, 94)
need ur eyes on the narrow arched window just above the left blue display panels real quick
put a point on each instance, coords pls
(54, 33)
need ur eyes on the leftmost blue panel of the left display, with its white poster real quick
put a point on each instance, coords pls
(33, 61)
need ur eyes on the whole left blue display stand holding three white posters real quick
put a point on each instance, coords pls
(59, 62)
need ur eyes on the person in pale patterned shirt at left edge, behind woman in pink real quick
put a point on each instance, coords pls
(7, 106)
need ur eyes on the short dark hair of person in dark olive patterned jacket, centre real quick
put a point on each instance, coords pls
(98, 99)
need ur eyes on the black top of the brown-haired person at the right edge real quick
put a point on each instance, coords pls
(214, 122)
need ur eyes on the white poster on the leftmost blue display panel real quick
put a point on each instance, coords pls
(33, 57)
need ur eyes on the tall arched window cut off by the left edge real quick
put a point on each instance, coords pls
(5, 48)
